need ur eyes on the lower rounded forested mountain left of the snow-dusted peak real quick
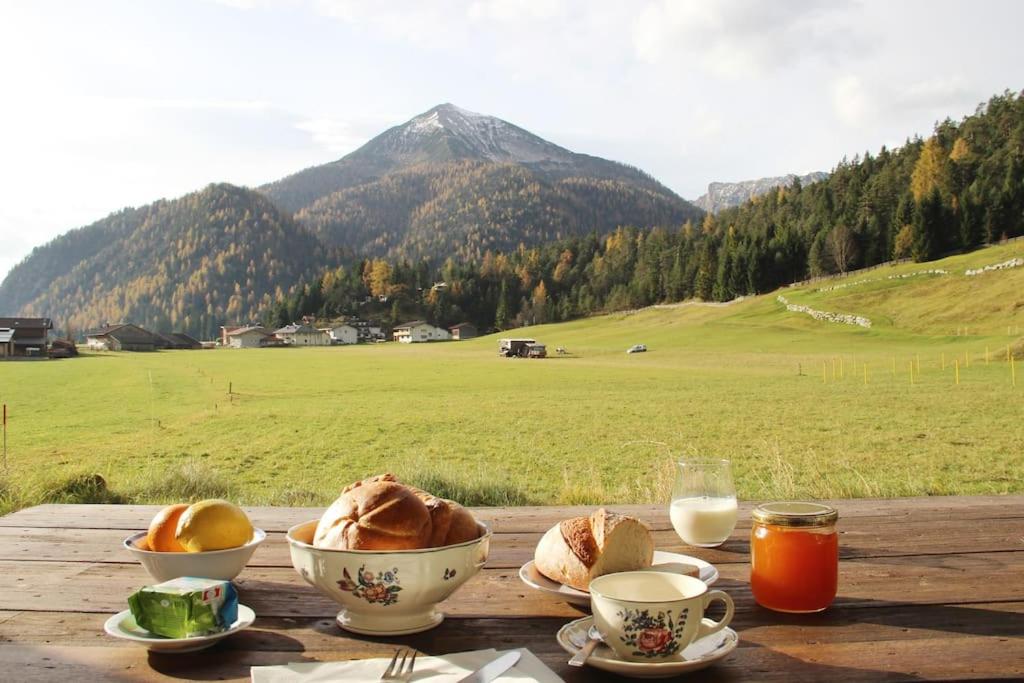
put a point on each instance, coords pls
(190, 265)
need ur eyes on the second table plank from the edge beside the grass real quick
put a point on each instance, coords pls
(859, 538)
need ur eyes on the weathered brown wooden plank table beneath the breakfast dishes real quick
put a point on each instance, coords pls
(930, 589)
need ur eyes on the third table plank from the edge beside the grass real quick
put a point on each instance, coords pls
(280, 592)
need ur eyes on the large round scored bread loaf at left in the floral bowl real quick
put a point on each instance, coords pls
(376, 515)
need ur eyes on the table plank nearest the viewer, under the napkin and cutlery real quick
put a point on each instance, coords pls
(961, 659)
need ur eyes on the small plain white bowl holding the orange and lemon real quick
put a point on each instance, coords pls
(224, 565)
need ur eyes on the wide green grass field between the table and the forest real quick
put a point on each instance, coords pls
(750, 382)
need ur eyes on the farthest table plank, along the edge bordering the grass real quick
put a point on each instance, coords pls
(524, 520)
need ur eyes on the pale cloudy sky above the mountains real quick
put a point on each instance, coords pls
(112, 104)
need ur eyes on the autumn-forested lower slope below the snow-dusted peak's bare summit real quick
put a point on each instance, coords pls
(463, 209)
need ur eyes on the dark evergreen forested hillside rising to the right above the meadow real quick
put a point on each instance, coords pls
(955, 191)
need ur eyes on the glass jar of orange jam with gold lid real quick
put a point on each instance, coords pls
(794, 557)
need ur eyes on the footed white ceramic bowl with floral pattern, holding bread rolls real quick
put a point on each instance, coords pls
(388, 593)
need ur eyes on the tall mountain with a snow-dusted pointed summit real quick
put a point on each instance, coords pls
(451, 183)
